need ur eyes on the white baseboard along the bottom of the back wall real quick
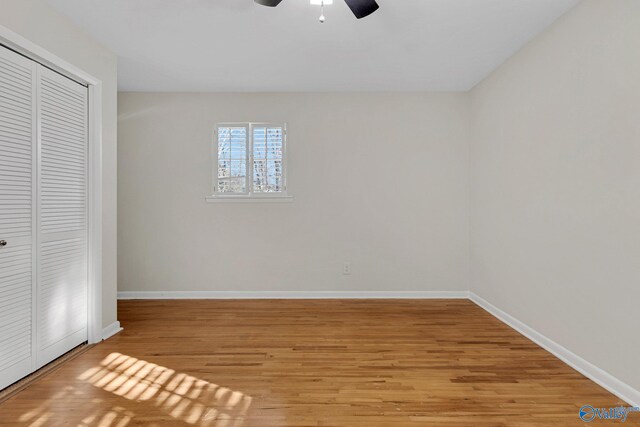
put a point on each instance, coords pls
(292, 295)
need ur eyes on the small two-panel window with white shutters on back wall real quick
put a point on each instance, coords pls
(250, 161)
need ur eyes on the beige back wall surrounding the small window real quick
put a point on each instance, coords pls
(379, 180)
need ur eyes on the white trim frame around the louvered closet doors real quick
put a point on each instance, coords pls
(38, 54)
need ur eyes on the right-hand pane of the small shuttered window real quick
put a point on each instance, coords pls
(267, 154)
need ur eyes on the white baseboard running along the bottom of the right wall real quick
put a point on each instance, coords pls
(595, 374)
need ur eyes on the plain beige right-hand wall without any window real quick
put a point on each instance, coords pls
(556, 185)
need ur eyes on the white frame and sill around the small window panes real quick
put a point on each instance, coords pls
(249, 195)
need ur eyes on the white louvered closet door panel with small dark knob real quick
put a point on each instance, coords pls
(17, 215)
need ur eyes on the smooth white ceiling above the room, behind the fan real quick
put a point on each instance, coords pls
(236, 45)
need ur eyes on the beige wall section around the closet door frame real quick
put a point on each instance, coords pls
(36, 21)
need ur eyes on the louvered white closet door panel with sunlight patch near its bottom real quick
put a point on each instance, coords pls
(62, 238)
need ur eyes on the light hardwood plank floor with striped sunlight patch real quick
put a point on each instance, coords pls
(309, 363)
